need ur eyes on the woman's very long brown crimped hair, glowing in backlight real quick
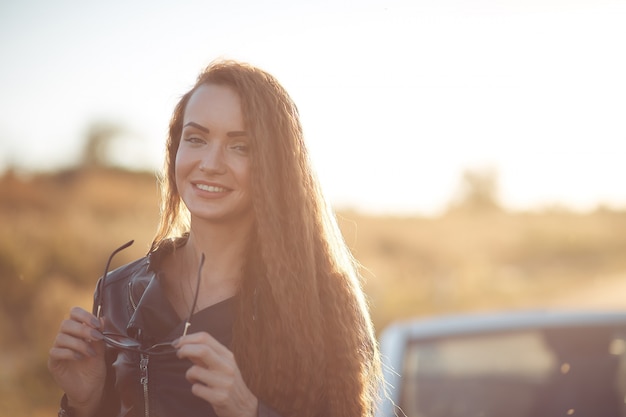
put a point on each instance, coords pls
(302, 337)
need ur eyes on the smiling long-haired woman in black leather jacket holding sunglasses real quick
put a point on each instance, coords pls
(279, 325)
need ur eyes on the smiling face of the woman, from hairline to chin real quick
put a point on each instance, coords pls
(212, 161)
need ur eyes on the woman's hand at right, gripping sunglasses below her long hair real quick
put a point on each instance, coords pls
(215, 376)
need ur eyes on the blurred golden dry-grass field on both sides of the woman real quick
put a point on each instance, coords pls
(56, 231)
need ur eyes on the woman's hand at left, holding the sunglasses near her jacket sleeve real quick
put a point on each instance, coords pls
(76, 360)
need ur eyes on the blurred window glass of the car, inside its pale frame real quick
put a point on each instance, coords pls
(516, 374)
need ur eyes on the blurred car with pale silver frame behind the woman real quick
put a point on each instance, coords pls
(509, 364)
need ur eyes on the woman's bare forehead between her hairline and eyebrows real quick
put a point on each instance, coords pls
(213, 103)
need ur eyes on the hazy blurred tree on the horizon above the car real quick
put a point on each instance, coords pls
(478, 191)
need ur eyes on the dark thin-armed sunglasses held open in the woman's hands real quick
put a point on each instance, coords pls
(127, 343)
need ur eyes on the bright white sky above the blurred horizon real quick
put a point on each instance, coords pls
(398, 97)
